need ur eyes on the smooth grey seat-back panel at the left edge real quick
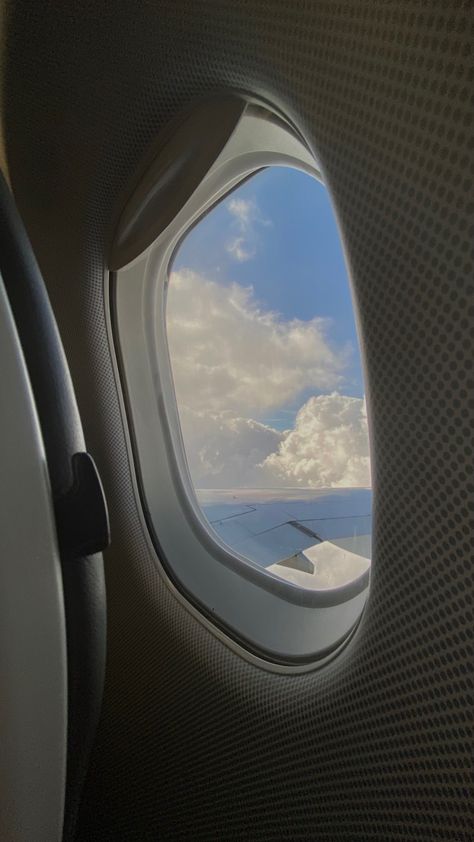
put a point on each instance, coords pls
(33, 720)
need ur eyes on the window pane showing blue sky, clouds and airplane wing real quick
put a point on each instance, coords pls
(268, 381)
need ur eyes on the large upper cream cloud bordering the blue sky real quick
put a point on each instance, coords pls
(230, 354)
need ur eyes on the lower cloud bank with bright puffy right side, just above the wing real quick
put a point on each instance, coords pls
(327, 448)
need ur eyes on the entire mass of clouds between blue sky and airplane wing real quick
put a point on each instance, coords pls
(232, 363)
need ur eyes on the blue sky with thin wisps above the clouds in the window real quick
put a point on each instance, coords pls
(278, 233)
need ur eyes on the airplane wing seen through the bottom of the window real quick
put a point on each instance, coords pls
(315, 538)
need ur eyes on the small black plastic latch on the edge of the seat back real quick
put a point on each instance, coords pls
(82, 519)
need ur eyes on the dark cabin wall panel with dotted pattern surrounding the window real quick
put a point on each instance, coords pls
(194, 742)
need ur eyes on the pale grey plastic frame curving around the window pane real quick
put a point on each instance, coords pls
(233, 592)
